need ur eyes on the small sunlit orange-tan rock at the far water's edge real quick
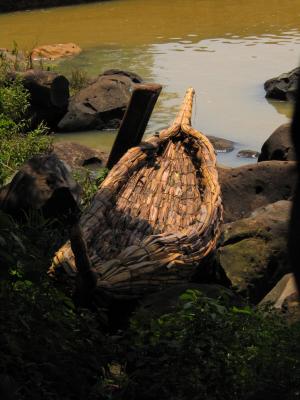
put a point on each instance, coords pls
(55, 51)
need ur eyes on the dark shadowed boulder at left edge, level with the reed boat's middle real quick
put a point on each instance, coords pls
(43, 183)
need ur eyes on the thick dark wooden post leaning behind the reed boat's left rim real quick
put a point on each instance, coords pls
(135, 120)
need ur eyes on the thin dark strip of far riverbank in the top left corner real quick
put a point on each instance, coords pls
(10, 5)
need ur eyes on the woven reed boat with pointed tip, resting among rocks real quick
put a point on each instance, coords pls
(157, 214)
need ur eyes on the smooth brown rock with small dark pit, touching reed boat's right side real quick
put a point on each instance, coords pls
(251, 186)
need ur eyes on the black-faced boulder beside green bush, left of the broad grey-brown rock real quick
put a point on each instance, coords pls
(49, 95)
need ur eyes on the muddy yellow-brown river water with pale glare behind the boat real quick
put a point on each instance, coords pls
(225, 49)
